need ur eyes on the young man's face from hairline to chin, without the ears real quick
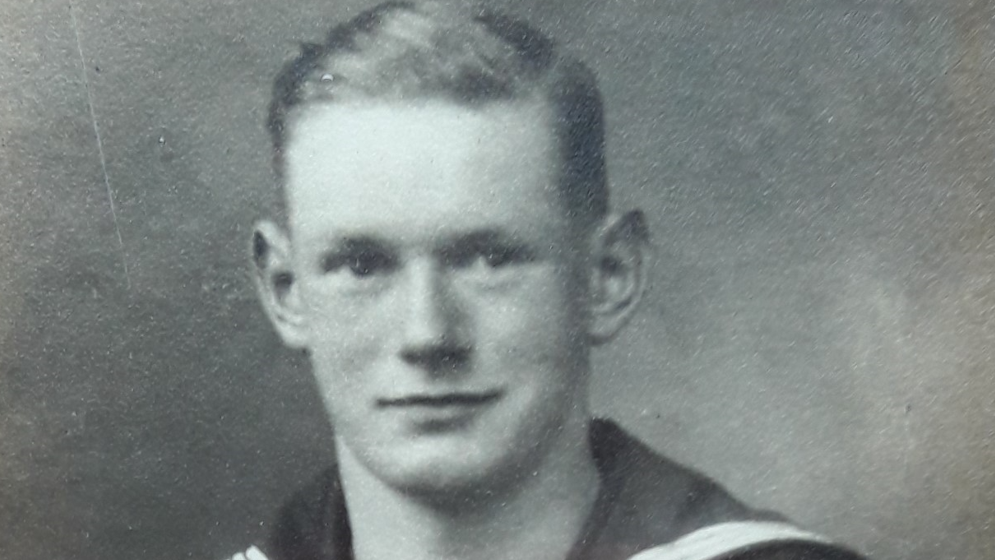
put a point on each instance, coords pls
(440, 289)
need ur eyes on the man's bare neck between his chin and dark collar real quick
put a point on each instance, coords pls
(539, 519)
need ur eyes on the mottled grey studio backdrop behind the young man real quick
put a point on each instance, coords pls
(818, 334)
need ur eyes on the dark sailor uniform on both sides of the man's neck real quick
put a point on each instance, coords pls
(645, 501)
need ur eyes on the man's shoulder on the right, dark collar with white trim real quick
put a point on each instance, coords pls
(660, 506)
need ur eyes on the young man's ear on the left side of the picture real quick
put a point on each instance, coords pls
(274, 279)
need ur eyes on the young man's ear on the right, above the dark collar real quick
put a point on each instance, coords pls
(617, 278)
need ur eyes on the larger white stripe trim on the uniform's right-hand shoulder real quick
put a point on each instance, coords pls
(724, 538)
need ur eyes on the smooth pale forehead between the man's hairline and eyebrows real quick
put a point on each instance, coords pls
(421, 166)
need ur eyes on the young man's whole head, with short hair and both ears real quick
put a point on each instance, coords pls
(447, 257)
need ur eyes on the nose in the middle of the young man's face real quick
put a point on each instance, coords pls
(432, 331)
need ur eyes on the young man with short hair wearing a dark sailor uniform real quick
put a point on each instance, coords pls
(446, 256)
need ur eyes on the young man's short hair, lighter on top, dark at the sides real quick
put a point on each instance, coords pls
(402, 51)
